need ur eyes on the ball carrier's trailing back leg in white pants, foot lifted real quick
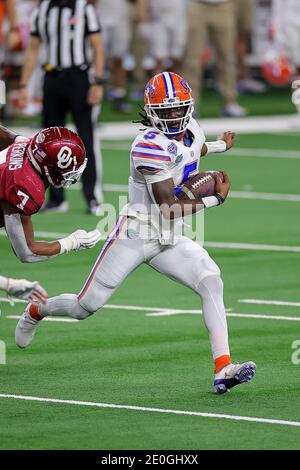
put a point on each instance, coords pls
(119, 256)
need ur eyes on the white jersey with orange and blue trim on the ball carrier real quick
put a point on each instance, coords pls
(153, 158)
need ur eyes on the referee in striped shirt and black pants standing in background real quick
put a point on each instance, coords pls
(70, 32)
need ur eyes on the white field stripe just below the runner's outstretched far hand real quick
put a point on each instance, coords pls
(236, 151)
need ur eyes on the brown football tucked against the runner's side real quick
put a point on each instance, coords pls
(200, 185)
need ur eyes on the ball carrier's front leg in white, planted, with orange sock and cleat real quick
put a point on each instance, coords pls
(191, 265)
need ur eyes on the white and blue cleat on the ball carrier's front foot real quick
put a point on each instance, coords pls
(232, 375)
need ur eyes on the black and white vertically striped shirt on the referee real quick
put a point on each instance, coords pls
(63, 28)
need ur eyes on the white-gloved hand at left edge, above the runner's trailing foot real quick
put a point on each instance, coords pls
(26, 290)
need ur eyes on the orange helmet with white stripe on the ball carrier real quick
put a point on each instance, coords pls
(168, 102)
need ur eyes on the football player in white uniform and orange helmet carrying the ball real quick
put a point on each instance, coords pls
(163, 157)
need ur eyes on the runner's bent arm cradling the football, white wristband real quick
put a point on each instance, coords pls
(172, 208)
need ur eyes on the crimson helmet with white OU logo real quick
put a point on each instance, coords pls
(58, 155)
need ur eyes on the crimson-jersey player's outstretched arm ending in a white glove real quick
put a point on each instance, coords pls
(21, 234)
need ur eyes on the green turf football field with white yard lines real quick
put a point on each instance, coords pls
(128, 357)
